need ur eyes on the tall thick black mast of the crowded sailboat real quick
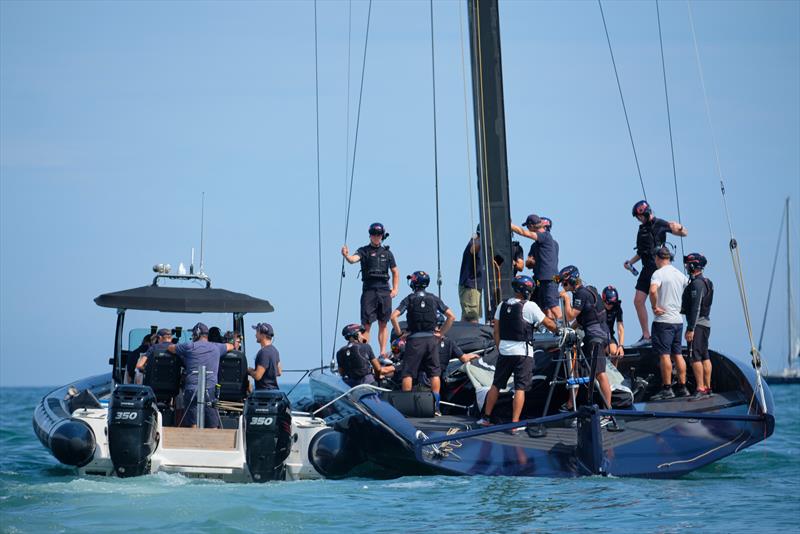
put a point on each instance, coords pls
(490, 143)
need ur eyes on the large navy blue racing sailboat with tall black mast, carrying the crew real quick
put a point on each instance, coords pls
(389, 433)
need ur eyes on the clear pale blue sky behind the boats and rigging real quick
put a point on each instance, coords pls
(115, 117)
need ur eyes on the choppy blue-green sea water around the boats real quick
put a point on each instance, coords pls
(759, 488)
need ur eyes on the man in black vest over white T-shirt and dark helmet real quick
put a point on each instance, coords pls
(513, 332)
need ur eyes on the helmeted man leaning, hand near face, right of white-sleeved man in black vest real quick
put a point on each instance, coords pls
(586, 306)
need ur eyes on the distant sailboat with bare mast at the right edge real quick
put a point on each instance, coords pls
(790, 373)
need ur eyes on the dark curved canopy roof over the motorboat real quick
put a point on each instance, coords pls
(183, 300)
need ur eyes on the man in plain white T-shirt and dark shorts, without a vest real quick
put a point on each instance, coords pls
(666, 290)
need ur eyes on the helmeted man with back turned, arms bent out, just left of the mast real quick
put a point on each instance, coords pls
(422, 347)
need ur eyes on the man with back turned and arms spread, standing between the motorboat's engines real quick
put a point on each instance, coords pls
(195, 353)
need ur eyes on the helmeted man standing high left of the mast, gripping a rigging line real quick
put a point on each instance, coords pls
(376, 297)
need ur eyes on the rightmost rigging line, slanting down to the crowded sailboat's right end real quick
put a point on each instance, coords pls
(733, 245)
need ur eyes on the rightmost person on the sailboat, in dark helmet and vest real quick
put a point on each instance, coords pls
(696, 306)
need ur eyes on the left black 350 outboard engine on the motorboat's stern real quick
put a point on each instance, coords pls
(132, 429)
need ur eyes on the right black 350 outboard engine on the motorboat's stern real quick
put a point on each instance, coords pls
(268, 434)
